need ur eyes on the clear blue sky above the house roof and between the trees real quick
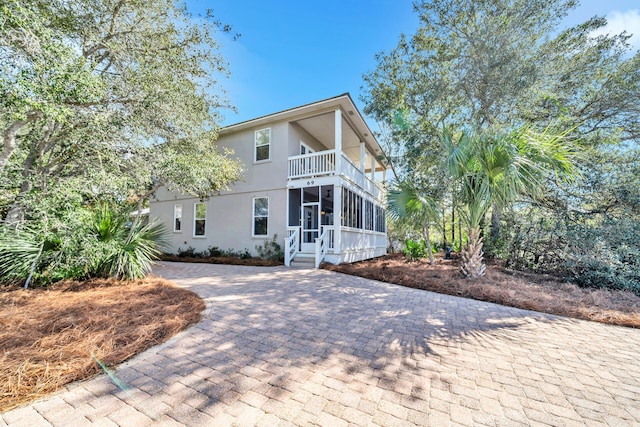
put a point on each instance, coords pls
(294, 52)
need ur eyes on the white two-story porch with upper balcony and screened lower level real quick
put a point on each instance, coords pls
(336, 199)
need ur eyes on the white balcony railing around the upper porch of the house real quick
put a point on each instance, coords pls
(323, 163)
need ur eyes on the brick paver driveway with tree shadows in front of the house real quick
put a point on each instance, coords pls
(303, 347)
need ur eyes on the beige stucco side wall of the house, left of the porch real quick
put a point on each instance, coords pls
(229, 221)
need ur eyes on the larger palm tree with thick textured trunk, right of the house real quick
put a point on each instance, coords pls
(495, 169)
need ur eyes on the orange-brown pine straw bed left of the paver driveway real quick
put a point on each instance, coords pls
(51, 337)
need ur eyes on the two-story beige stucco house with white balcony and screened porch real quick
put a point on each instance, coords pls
(310, 178)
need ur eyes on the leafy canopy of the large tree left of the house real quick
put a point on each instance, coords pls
(108, 99)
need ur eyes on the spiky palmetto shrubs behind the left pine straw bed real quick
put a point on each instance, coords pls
(97, 245)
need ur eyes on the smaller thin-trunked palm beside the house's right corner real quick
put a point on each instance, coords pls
(408, 202)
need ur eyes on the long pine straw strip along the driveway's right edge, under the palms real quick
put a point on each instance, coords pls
(535, 292)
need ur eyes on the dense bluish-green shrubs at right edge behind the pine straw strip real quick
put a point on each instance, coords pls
(588, 233)
